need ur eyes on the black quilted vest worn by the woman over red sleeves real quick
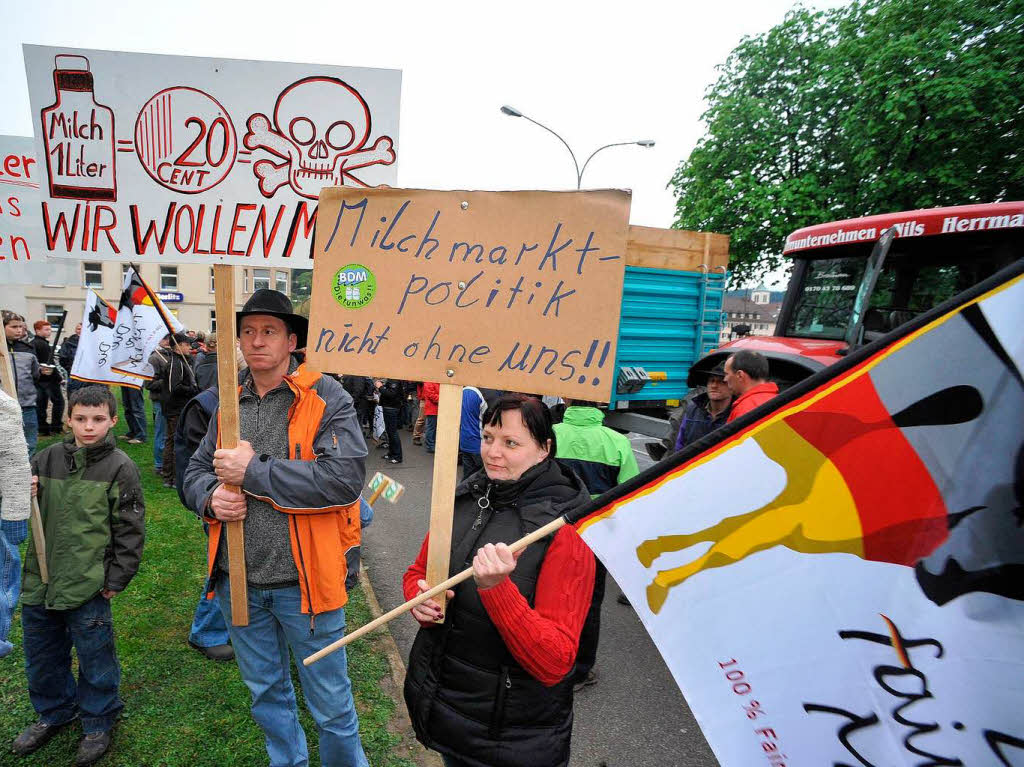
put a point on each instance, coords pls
(466, 694)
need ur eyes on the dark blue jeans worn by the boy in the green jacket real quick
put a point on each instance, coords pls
(49, 637)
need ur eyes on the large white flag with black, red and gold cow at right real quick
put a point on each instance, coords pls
(858, 598)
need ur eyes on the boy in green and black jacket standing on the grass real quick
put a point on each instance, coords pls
(92, 503)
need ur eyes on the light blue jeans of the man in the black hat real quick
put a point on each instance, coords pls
(277, 625)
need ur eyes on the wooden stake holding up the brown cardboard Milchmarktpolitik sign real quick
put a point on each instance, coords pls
(445, 481)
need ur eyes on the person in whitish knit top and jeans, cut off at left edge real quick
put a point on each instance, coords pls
(16, 484)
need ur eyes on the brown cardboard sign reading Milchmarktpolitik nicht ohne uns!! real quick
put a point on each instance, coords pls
(513, 290)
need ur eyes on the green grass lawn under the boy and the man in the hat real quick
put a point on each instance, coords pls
(182, 709)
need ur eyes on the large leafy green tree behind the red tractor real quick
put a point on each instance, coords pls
(878, 107)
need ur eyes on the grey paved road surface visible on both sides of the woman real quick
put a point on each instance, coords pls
(634, 717)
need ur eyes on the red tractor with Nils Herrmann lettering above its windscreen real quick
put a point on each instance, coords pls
(856, 281)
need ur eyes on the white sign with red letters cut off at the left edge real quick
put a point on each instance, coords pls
(23, 248)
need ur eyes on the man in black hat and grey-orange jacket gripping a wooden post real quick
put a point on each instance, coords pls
(301, 466)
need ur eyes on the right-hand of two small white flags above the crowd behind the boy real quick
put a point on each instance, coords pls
(142, 322)
